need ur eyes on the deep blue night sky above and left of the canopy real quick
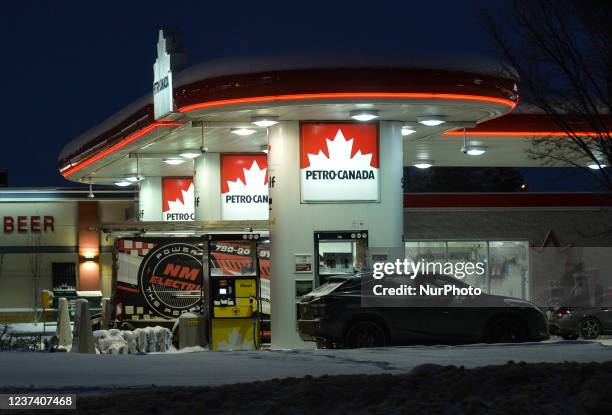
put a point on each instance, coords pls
(66, 66)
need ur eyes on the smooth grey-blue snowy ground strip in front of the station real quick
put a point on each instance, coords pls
(67, 370)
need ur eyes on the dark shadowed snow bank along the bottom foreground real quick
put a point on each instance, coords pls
(513, 388)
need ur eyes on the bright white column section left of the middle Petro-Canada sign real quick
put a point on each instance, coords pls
(207, 186)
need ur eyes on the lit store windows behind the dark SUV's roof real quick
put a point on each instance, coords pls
(506, 262)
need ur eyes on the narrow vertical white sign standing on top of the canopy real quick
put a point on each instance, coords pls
(163, 104)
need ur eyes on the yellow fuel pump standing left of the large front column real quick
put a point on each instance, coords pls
(234, 292)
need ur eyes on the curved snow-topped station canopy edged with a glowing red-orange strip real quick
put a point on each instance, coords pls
(212, 100)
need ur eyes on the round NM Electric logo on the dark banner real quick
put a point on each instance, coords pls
(170, 277)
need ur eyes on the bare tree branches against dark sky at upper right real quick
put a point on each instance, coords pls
(562, 54)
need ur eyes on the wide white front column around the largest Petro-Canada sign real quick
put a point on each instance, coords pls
(292, 223)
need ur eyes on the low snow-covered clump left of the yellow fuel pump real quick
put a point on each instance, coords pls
(142, 340)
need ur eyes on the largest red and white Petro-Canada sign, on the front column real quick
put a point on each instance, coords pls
(339, 162)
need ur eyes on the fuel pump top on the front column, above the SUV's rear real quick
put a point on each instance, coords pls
(339, 253)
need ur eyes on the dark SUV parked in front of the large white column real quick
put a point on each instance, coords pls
(333, 316)
